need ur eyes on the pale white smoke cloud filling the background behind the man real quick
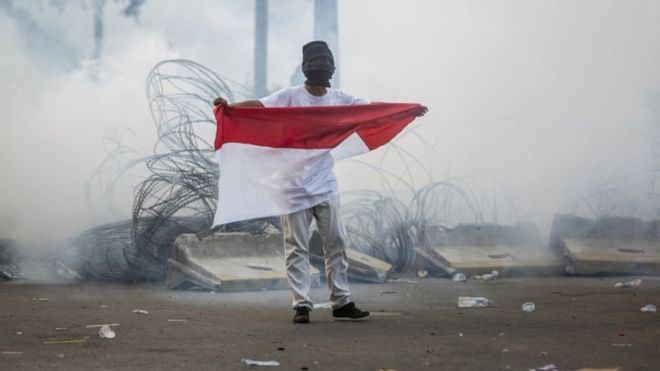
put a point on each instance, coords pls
(535, 105)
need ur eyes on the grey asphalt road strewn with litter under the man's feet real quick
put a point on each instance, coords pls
(577, 323)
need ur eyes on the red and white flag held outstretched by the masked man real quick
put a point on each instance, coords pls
(272, 160)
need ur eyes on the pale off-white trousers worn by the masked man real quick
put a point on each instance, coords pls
(295, 227)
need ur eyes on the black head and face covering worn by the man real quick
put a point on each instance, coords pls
(318, 63)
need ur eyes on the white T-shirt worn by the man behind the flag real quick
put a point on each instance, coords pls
(318, 183)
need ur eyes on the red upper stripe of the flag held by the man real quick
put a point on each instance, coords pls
(312, 127)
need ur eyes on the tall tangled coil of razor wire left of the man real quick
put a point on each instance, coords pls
(180, 191)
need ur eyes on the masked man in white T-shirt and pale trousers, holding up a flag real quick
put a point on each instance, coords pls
(321, 188)
